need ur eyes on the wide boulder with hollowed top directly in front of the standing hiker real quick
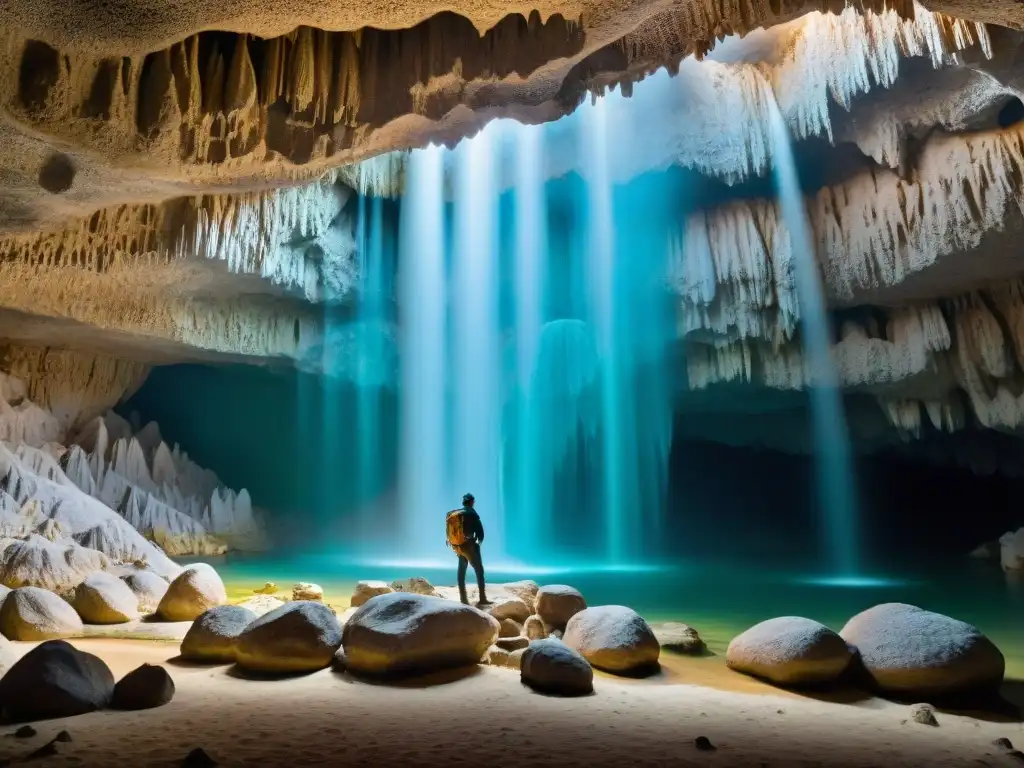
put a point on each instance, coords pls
(406, 633)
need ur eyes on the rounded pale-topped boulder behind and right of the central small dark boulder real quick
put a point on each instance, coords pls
(614, 638)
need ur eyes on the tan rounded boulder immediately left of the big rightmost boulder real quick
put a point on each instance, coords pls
(790, 651)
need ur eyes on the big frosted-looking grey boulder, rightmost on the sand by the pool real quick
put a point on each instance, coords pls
(910, 652)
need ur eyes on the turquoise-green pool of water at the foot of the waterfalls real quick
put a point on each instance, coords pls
(719, 599)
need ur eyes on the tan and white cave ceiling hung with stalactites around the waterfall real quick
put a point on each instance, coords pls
(178, 178)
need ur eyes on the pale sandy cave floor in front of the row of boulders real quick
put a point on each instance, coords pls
(486, 716)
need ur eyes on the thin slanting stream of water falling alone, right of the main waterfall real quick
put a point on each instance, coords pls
(836, 489)
